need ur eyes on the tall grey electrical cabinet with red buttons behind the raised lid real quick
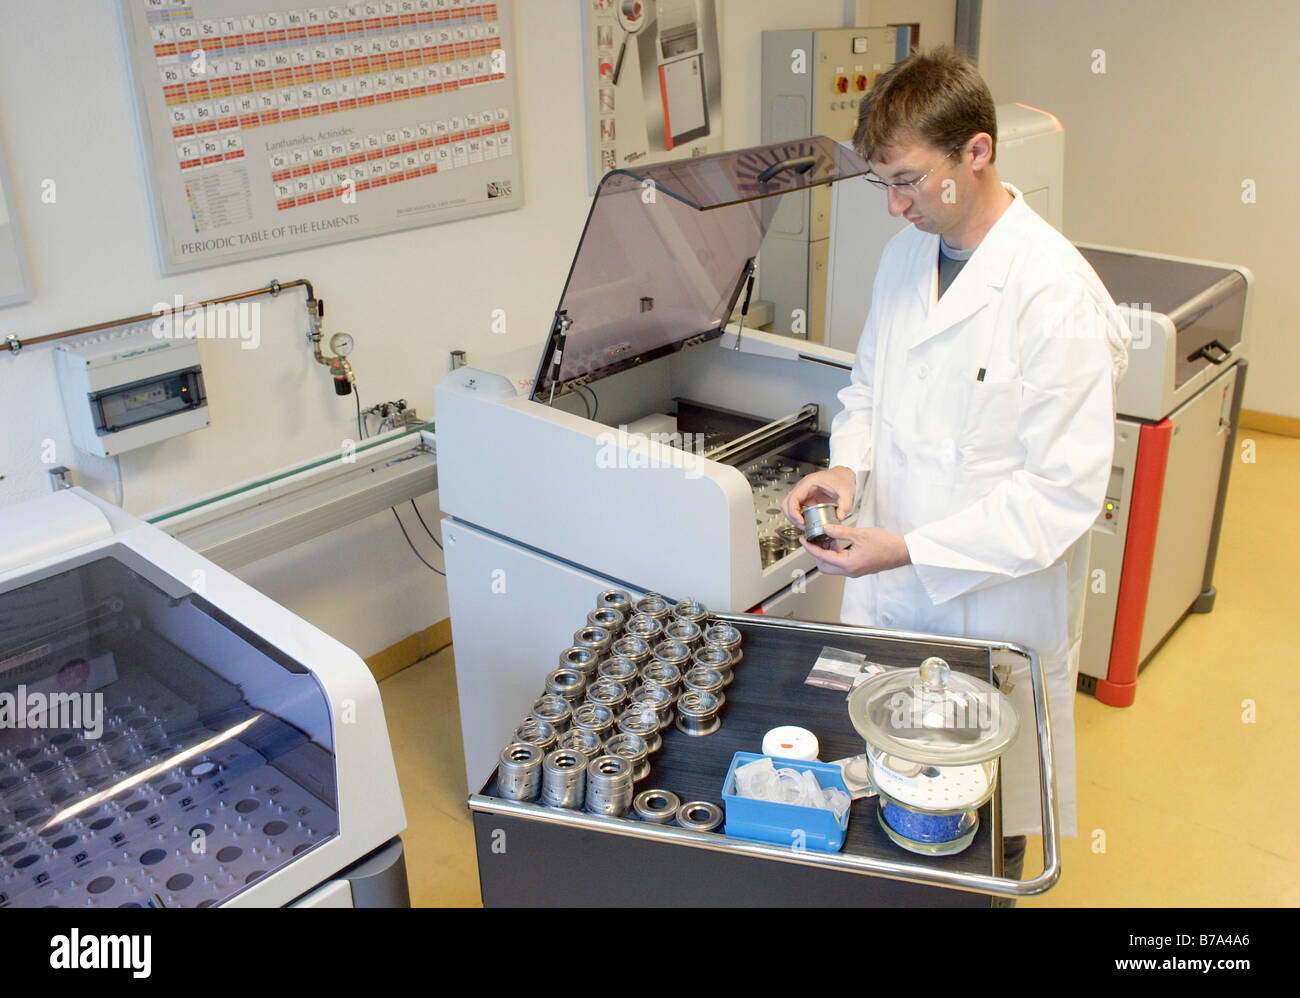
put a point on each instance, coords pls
(813, 81)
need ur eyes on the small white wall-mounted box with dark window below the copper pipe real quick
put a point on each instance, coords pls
(129, 388)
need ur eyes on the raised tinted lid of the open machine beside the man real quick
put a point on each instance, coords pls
(668, 253)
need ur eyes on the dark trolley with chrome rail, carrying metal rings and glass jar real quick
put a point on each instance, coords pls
(535, 856)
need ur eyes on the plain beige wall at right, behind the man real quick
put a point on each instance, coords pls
(1198, 97)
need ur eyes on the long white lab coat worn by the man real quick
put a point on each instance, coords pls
(993, 483)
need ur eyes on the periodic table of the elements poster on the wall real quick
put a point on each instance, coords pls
(274, 128)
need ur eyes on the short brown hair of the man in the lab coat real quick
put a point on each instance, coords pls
(935, 97)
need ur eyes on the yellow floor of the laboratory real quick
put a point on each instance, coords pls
(1182, 800)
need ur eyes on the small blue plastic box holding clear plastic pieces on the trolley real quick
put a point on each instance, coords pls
(786, 825)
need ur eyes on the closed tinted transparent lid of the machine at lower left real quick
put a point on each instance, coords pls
(153, 749)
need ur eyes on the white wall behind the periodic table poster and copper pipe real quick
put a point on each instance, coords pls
(67, 115)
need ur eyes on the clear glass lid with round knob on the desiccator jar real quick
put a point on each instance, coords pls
(934, 715)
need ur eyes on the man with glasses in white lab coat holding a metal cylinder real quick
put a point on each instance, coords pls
(980, 419)
